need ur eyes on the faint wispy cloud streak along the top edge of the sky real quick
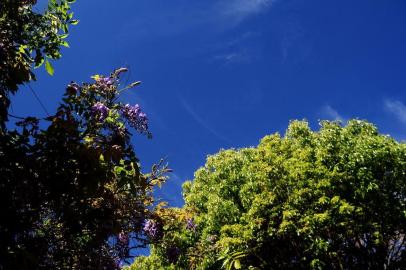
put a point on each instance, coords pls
(184, 16)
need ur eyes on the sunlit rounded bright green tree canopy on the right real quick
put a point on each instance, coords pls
(332, 199)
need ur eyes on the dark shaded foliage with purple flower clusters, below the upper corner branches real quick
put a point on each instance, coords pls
(72, 195)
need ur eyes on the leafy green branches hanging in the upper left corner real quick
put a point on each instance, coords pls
(29, 38)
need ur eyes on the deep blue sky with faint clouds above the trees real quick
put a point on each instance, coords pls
(224, 73)
